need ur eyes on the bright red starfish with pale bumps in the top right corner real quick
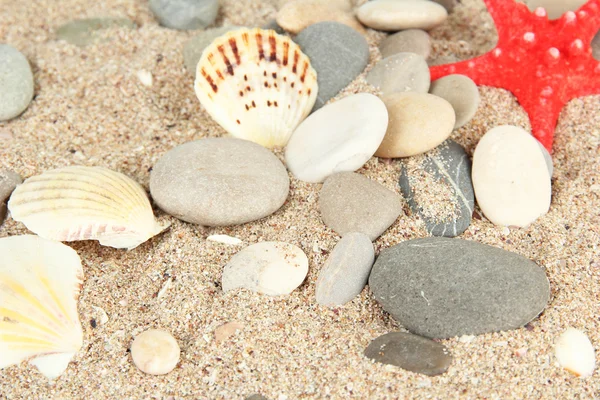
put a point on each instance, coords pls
(543, 63)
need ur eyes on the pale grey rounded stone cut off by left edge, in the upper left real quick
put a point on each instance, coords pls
(16, 82)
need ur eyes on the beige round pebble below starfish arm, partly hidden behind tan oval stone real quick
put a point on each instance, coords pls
(461, 92)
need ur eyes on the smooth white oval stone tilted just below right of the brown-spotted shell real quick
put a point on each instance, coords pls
(339, 137)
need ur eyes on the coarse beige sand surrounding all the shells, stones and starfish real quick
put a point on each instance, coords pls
(90, 108)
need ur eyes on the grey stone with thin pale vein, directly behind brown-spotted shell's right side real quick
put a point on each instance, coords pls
(337, 52)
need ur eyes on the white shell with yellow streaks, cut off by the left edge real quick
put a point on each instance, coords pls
(40, 282)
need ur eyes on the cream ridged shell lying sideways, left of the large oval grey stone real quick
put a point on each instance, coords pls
(85, 203)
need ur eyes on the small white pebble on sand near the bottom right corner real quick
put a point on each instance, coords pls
(575, 353)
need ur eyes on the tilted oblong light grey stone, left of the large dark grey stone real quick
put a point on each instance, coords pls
(346, 271)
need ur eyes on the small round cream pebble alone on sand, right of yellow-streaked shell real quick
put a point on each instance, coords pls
(155, 352)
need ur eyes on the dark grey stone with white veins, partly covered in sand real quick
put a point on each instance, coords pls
(445, 172)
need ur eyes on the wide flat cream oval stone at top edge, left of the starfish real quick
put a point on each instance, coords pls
(394, 15)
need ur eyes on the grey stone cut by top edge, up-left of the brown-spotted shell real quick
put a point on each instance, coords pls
(185, 14)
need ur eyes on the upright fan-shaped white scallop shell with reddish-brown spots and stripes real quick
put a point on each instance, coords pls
(257, 85)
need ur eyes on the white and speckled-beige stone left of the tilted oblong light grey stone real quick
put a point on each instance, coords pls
(272, 268)
